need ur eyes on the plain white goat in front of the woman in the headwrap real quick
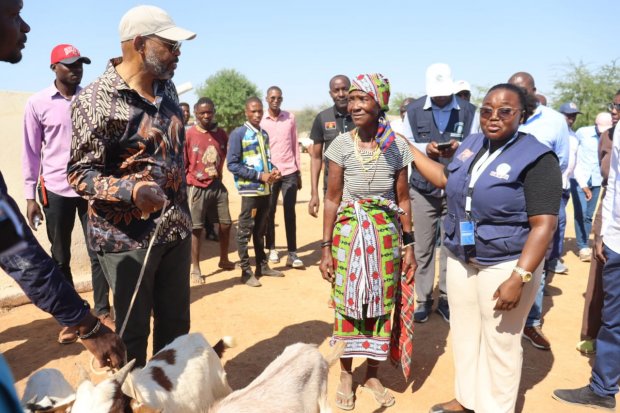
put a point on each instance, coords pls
(294, 382)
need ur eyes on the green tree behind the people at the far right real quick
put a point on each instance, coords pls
(590, 89)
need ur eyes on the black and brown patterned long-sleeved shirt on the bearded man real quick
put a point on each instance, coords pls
(119, 138)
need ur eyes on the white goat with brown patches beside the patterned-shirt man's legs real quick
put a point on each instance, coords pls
(185, 376)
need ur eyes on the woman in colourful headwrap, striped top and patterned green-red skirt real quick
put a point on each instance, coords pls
(366, 221)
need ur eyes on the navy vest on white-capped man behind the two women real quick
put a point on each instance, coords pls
(425, 130)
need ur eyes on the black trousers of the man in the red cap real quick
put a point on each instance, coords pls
(59, 221)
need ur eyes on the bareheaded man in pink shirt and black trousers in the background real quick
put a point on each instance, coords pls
(282, 130)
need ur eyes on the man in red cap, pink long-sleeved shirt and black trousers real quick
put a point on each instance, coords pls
(47, 145)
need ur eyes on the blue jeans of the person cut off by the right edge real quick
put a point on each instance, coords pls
(606, 370)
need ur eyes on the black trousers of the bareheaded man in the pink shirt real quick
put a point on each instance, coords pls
(288, 186)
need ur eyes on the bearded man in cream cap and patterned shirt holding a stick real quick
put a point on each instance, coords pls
(127, 159)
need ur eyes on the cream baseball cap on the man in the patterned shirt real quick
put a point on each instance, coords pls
(146, 20)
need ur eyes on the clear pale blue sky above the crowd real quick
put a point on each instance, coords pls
(299, 45)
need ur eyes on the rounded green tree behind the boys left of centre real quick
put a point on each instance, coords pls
(229, 90)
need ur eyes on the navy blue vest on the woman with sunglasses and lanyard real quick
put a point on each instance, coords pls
(498, 200)
